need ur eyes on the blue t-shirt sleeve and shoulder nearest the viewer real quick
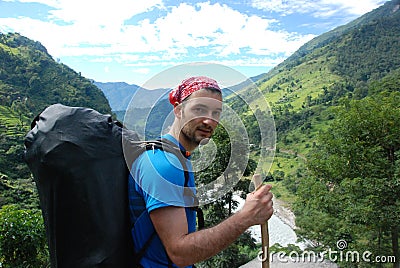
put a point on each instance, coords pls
(160, 179)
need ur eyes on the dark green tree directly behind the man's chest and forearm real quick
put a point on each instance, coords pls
(209, 167)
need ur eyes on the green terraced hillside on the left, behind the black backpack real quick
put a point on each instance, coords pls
(30, 80)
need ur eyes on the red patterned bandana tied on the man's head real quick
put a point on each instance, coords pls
(189, 86)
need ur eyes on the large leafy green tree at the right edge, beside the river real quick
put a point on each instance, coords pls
(354, 188)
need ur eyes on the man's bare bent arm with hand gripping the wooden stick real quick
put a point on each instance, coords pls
(186, 249)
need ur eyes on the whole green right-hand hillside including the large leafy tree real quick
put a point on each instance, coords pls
(341, 179)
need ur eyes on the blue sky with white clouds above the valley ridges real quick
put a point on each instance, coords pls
(133, 40)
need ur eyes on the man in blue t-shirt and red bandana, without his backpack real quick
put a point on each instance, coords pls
(159, 208)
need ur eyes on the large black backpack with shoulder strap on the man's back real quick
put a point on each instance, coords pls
(77, 159)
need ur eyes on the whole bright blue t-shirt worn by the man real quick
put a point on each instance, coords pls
(156, 181)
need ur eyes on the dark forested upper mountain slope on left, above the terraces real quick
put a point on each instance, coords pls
(29, 74)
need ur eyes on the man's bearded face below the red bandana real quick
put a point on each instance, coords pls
(201, 112)
